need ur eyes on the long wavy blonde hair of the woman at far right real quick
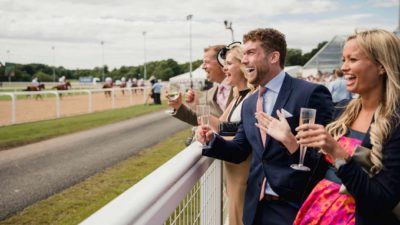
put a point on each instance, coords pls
(383, 48)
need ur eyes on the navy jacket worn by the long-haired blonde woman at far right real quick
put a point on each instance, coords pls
(377, 196)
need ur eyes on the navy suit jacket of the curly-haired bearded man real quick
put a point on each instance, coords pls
(274, 160)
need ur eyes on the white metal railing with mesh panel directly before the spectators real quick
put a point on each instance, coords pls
(185, 190)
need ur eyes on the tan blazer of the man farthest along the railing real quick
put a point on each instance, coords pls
(186, 114)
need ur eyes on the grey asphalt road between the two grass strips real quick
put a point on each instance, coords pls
(37, 171)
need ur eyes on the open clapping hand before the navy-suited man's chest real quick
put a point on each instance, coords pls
(278, 129)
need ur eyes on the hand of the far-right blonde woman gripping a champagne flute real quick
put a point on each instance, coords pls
(315, 136)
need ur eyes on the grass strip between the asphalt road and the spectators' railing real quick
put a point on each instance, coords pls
(80, 201)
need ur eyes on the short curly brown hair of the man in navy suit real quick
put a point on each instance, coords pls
(271, 40)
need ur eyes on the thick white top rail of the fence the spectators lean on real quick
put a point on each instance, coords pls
(155, 197)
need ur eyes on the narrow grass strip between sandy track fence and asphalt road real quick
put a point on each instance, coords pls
(21, 134)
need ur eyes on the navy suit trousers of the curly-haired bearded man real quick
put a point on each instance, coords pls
(275, 213)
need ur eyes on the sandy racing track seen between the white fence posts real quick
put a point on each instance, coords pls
(31, 109)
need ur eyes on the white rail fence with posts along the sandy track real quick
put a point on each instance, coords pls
(144, 91)
